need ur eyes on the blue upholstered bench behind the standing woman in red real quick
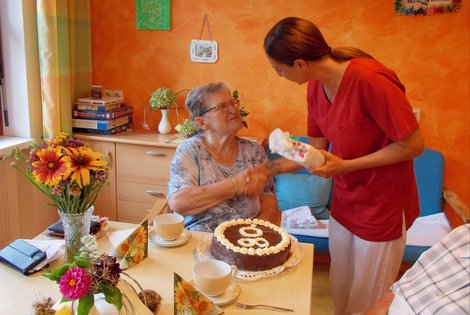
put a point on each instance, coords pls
(302, 188)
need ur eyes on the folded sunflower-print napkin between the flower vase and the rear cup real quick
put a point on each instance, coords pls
(134, 248)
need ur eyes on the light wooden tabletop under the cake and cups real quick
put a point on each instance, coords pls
(292, 288)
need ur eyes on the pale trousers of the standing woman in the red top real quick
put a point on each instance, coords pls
(361, 271)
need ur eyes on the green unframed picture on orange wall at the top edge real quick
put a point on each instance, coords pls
(152, 14)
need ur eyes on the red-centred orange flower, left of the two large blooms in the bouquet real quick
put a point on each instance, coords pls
(50, 167)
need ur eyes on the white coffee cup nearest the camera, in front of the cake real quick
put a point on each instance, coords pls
(212, 277)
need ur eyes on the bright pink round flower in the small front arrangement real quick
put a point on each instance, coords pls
(75, 283)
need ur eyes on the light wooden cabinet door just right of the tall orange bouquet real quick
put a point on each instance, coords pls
(105, 203)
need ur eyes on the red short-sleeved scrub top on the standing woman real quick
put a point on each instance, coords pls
(370, 111)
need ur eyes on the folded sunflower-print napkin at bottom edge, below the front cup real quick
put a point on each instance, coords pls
(188, 300)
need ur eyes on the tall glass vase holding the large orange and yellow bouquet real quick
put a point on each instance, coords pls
(71, 174)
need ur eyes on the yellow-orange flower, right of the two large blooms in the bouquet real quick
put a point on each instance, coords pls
(83, 160)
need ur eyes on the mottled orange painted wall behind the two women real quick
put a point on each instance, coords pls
(430, 55)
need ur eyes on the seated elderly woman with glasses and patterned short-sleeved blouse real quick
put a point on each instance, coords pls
(216, 176)
